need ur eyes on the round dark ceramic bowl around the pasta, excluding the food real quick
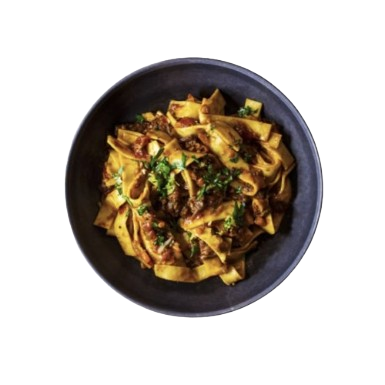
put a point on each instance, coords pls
(148, 89)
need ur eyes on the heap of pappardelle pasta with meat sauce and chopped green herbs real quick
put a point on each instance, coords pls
(189, 192)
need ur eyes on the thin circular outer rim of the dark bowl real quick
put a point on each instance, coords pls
(188, 60)
